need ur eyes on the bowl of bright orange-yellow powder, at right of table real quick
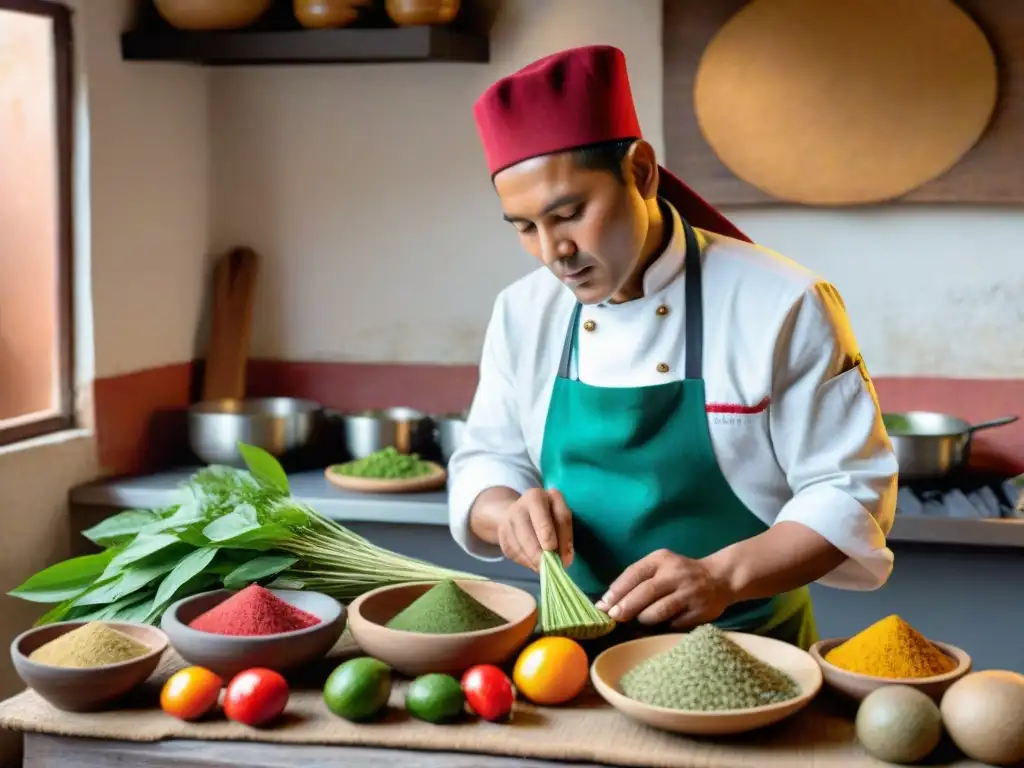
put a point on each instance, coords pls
(889, 653)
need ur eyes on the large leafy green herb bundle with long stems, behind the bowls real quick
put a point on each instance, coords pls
(235, 528)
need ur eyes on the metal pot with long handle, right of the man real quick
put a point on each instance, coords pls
(930, 446)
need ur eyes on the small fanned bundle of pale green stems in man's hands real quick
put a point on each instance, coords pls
(565, 610)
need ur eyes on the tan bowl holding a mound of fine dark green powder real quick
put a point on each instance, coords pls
(445, 627)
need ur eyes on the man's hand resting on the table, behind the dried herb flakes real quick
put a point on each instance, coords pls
(666, 587)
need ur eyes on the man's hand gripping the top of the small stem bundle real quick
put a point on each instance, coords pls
(539, 522)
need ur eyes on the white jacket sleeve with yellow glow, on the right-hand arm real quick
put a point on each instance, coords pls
(830, 440)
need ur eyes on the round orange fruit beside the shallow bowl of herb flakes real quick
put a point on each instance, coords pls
(551, 671)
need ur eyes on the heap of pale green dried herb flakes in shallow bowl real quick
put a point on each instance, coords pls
(708, 672)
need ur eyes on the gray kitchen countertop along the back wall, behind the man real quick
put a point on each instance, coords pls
(432, 509)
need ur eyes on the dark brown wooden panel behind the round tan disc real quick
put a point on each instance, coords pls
(989, 175)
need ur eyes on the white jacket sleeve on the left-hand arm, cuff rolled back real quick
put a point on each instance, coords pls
(492, 452)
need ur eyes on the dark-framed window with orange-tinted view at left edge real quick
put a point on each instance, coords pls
(36, 298)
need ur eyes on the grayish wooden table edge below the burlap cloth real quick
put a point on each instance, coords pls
(60, 752)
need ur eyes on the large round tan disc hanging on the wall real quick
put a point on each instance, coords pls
(831, 103)
